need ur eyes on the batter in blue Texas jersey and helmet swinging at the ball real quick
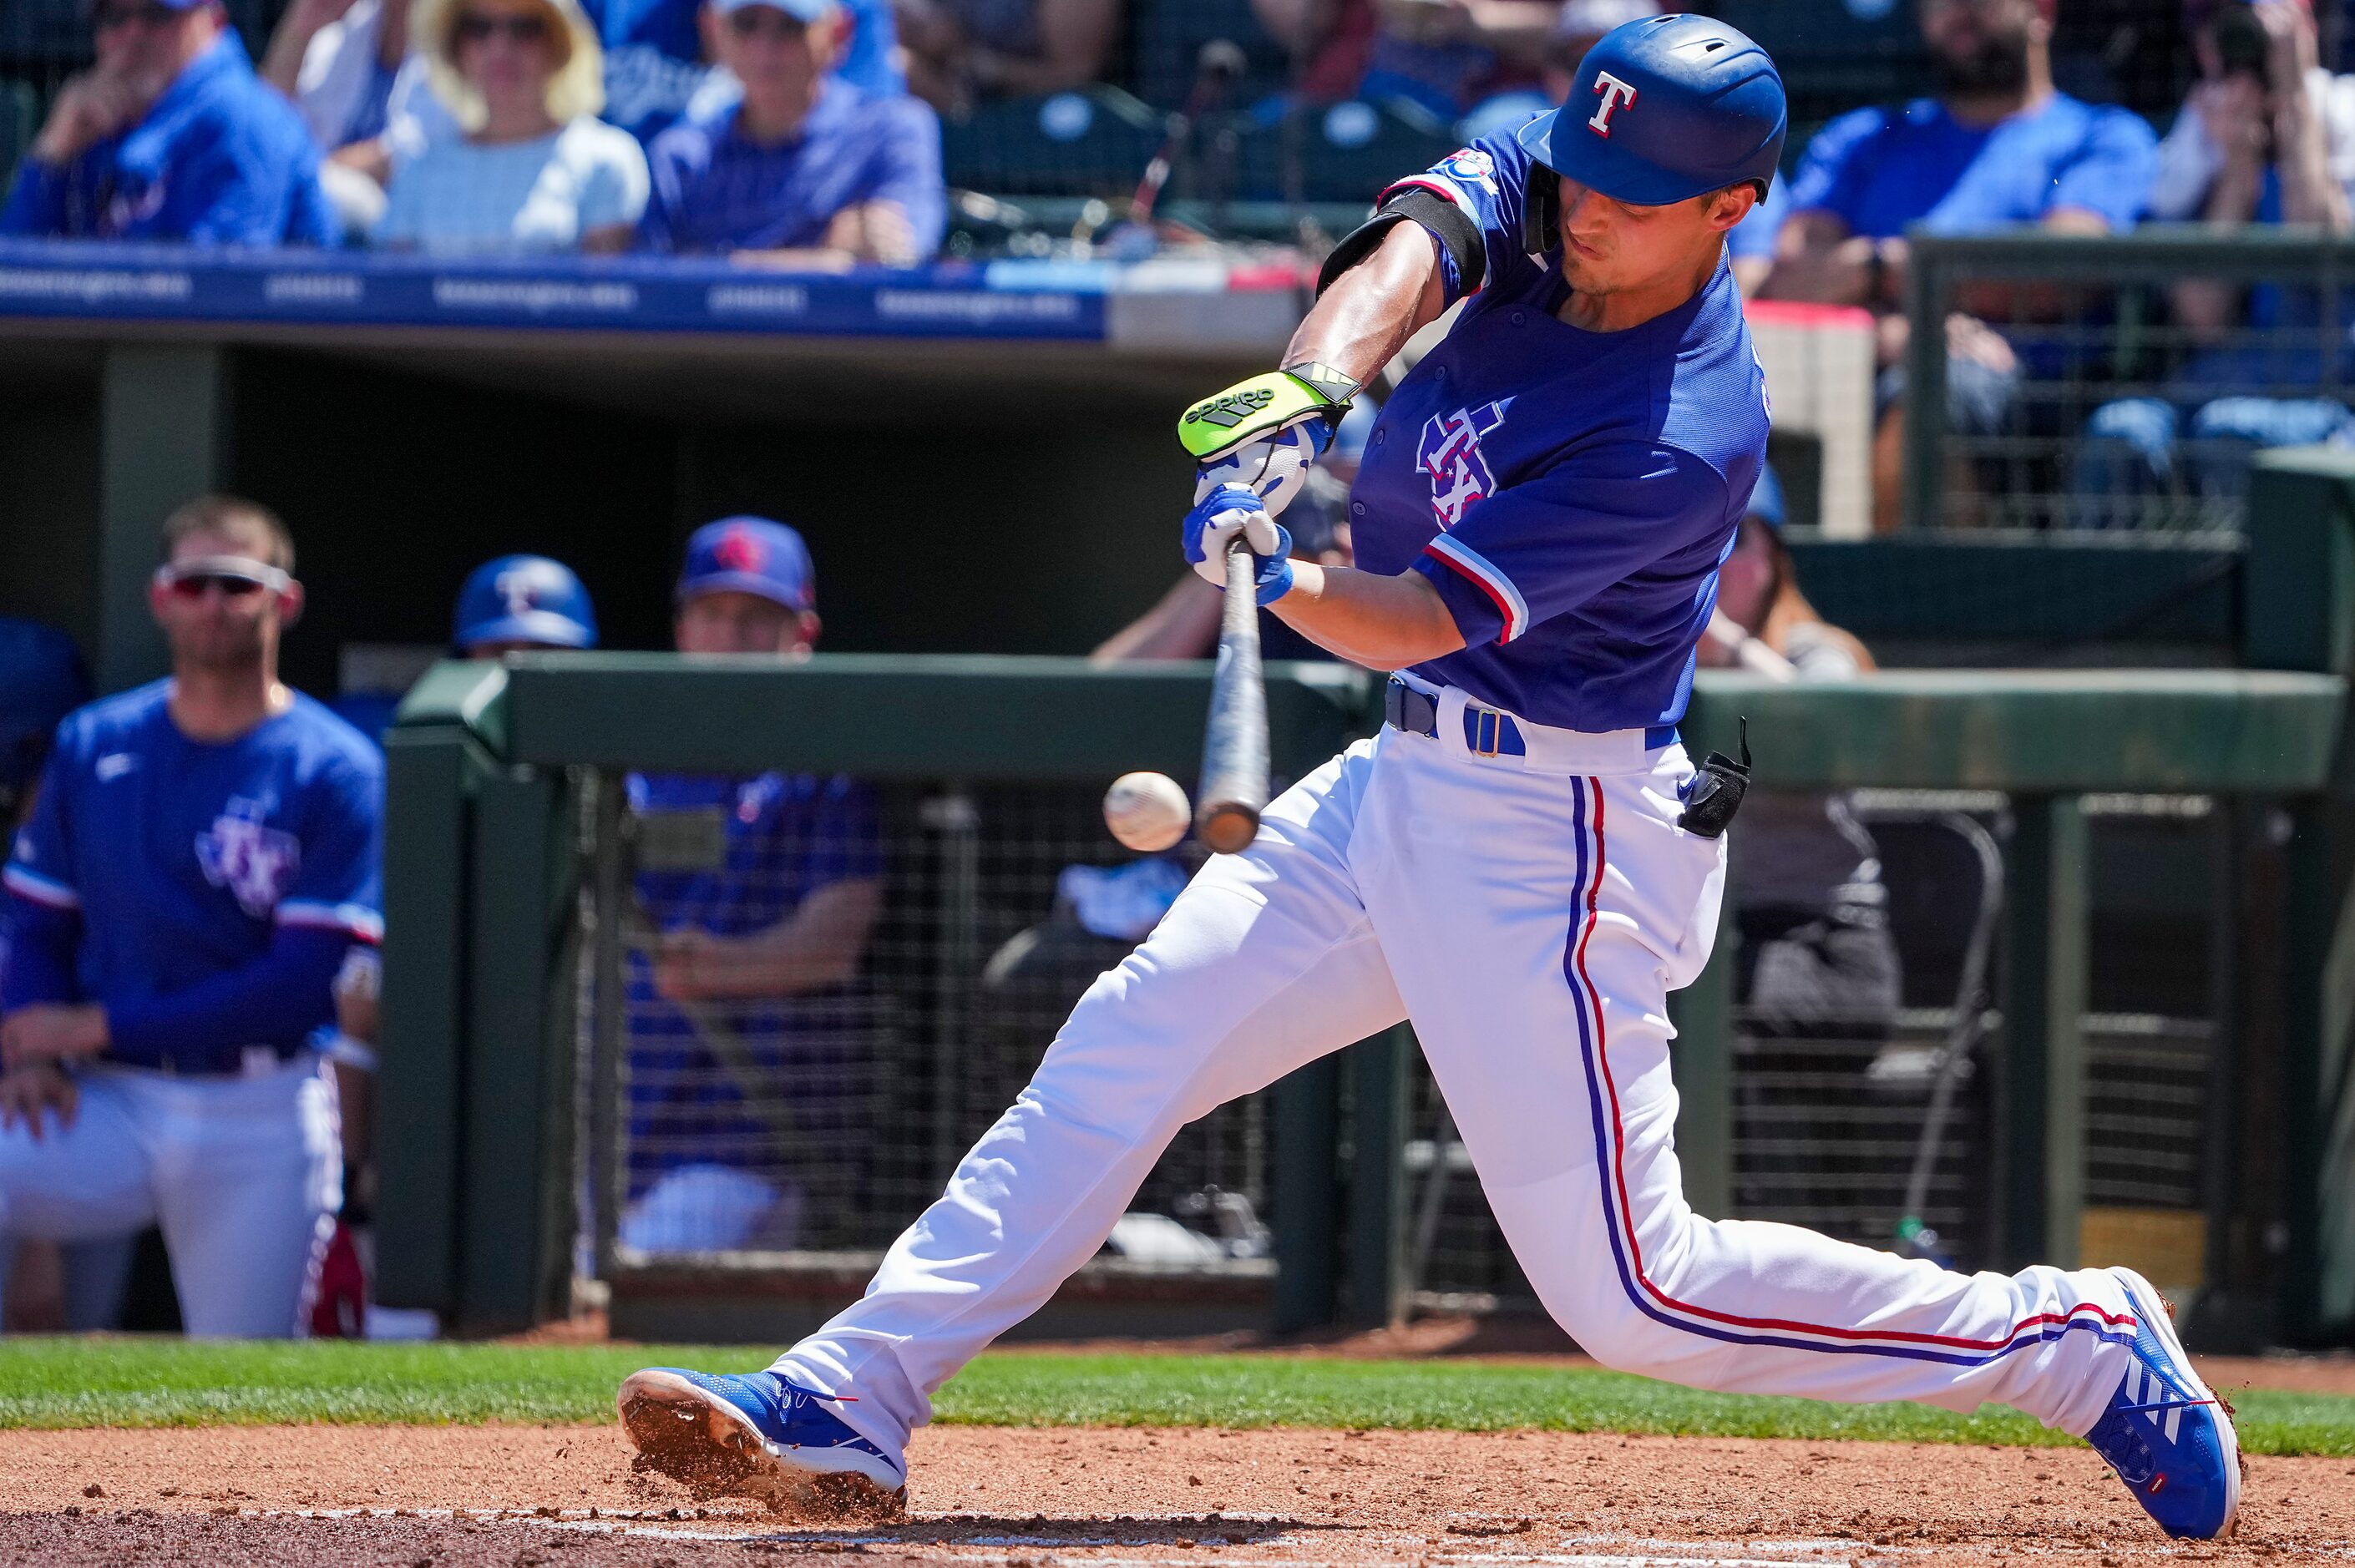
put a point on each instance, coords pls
(1523, 863)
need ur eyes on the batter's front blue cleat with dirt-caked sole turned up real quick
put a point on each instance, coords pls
(757, 1437)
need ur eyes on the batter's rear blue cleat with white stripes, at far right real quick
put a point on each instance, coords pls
(2165, 1433)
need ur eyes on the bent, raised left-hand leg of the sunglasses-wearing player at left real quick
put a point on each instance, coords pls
(84, 1183)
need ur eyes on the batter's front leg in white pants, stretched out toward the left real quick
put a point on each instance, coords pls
(1263, 964)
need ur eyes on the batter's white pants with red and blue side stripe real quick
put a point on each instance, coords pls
(1530, 917)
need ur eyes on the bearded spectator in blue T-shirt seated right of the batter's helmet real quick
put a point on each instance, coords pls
(1998, 147)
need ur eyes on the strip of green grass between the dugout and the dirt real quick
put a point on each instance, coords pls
(171, 1383)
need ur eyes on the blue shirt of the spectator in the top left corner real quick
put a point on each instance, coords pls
(220, 159)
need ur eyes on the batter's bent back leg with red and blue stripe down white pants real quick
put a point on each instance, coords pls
(1537, 950)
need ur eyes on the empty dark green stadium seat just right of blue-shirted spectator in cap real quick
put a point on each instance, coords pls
(1089, 142)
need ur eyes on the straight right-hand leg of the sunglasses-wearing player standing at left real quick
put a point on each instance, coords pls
(248, 1183)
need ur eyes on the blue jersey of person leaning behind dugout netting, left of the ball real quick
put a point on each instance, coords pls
(783, 839)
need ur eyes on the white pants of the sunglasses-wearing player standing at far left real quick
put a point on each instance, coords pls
(241, 1174)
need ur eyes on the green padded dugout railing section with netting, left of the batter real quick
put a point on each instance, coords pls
(543, 1087)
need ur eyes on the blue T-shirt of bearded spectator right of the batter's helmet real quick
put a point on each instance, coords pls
(1883, 171)
